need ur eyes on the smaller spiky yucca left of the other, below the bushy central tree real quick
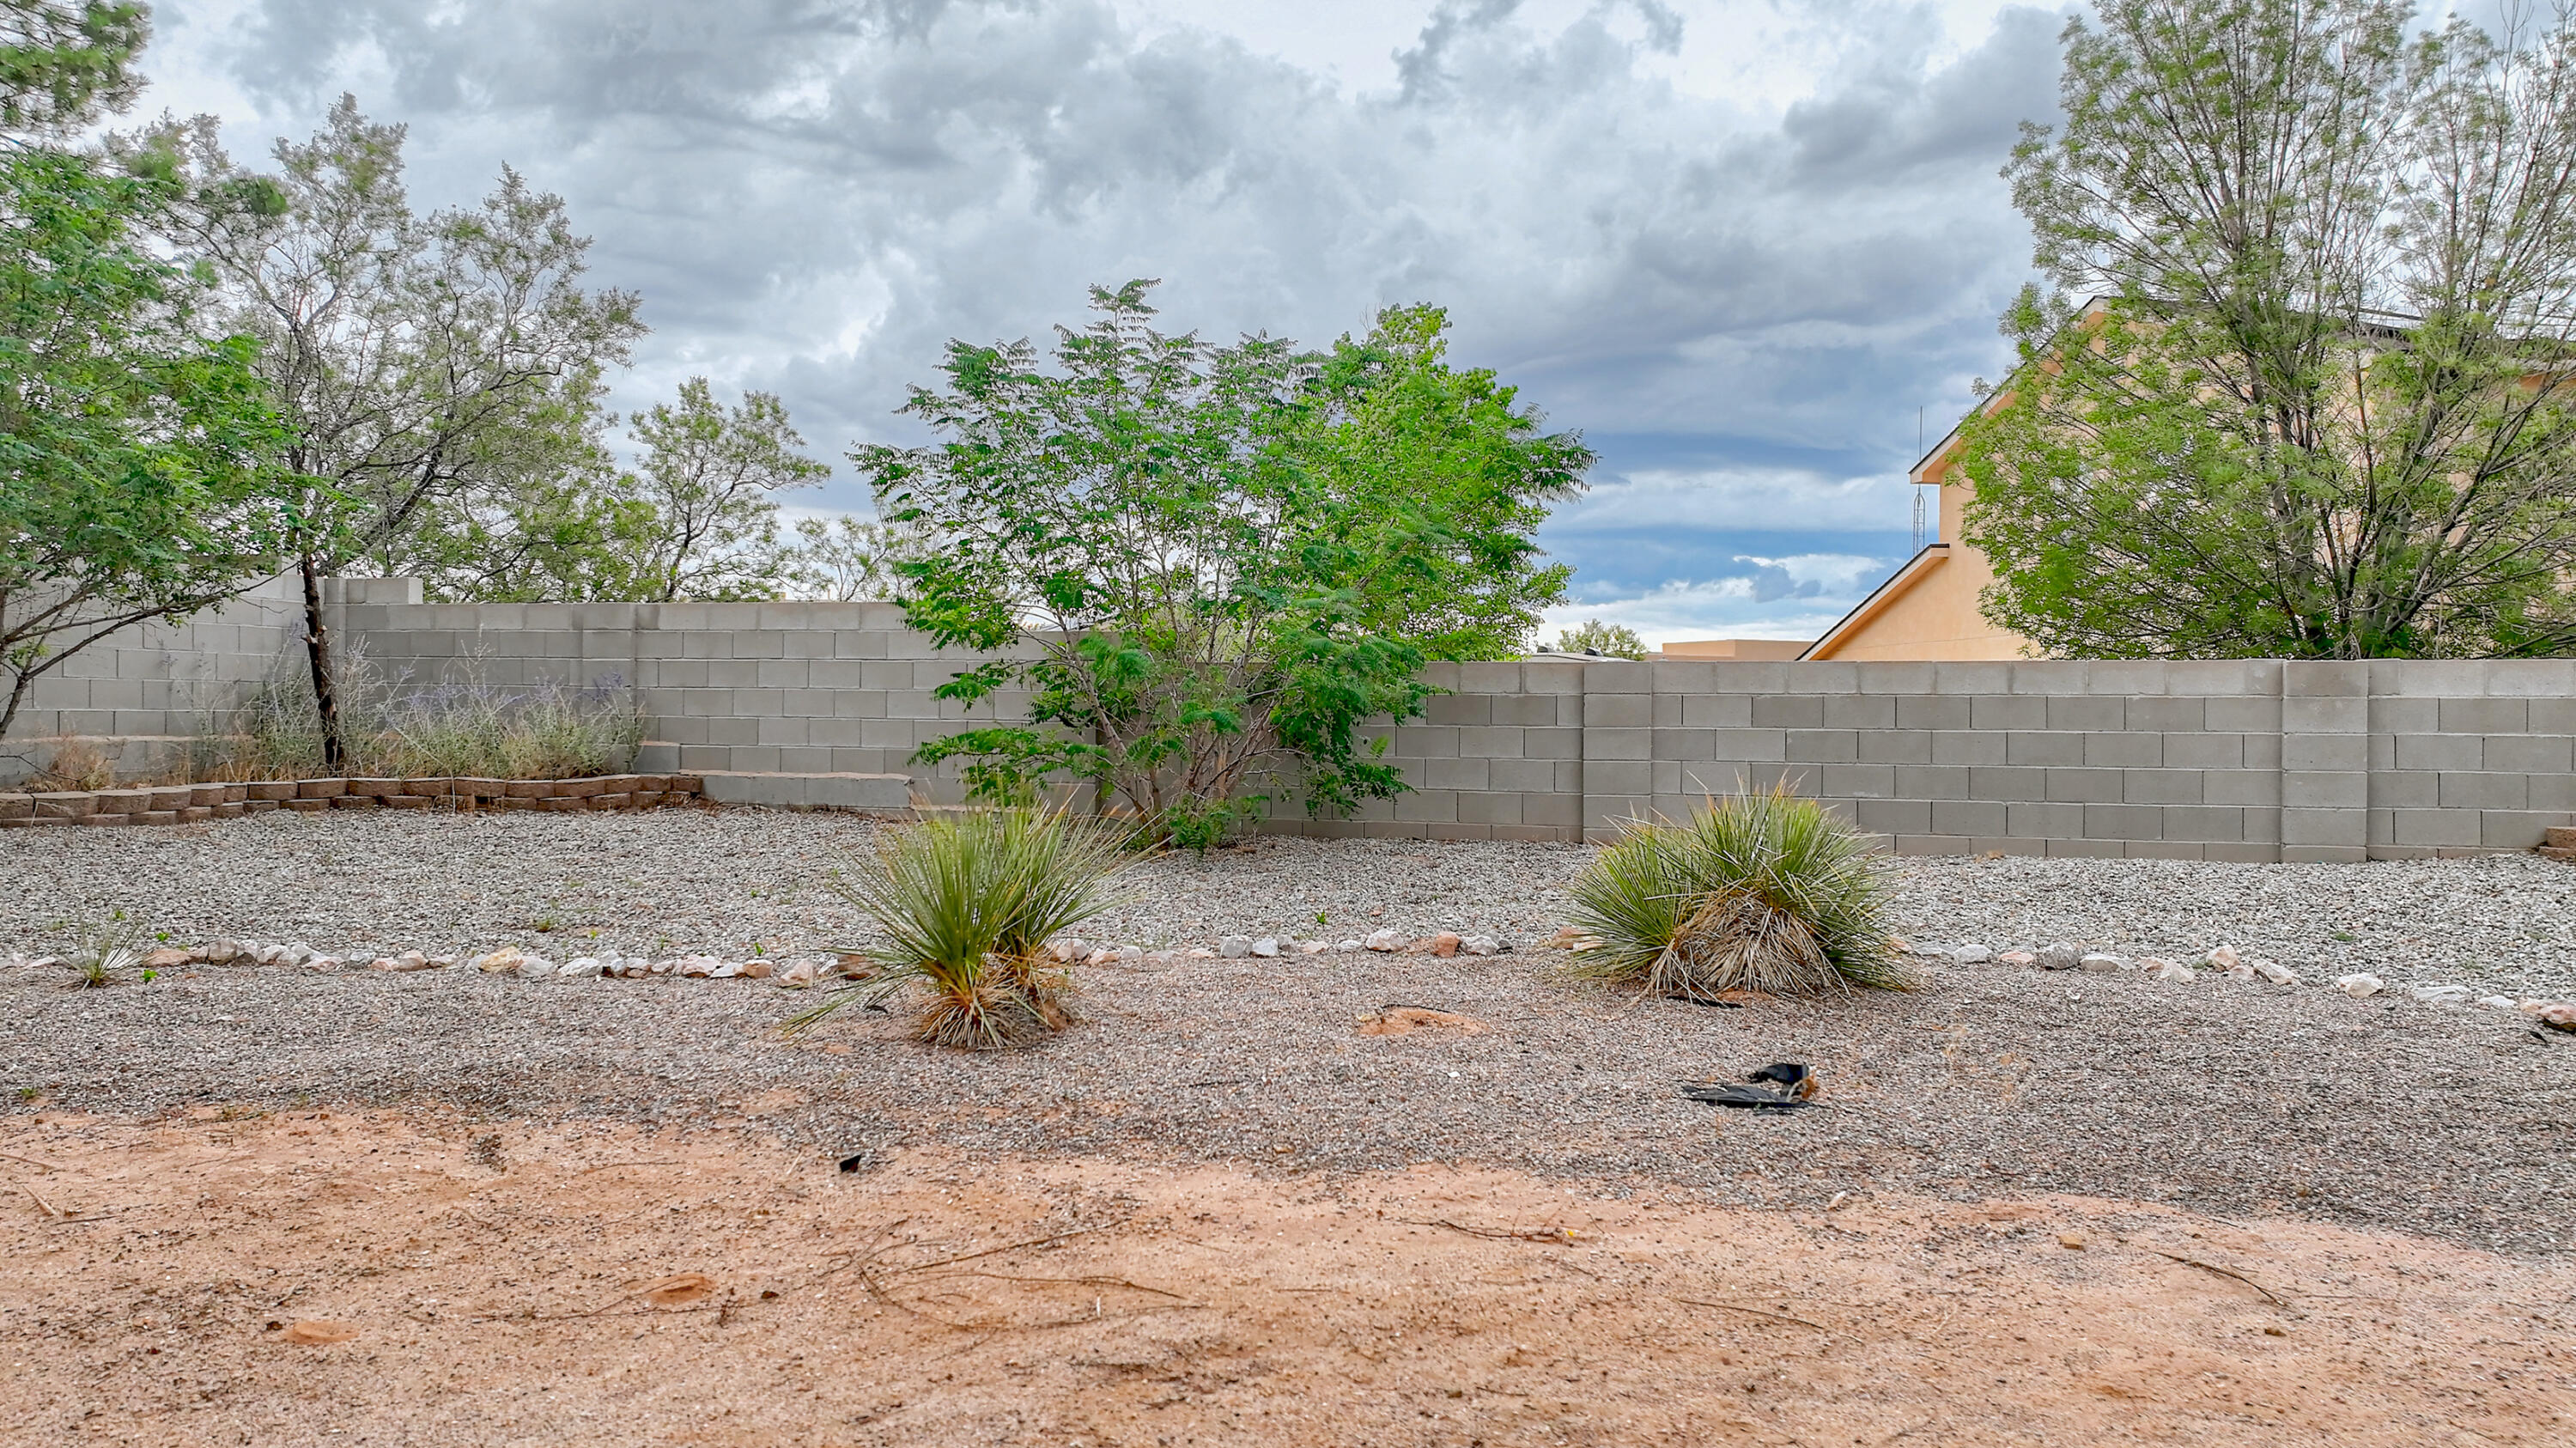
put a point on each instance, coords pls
(967, 906)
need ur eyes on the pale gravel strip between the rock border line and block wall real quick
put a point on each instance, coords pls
(735, 880)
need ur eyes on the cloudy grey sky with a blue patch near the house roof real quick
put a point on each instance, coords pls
(1735, 243)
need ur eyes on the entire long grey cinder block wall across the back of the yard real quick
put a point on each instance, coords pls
(2209, 761)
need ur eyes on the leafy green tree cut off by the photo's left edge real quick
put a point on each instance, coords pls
(138, 460)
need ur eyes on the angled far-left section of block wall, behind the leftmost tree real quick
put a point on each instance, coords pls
(140, 694)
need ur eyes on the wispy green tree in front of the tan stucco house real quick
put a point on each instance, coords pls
(2317, 406)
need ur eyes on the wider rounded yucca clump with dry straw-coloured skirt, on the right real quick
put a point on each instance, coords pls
(1763, 893)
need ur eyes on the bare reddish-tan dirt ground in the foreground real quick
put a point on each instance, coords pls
(429, 1279)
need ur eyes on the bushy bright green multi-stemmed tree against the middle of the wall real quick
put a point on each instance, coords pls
(1197, 563)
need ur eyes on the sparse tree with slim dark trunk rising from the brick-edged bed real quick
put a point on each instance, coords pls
(442, 375)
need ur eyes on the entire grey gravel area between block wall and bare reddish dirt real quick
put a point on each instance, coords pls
(1990, 1081)
